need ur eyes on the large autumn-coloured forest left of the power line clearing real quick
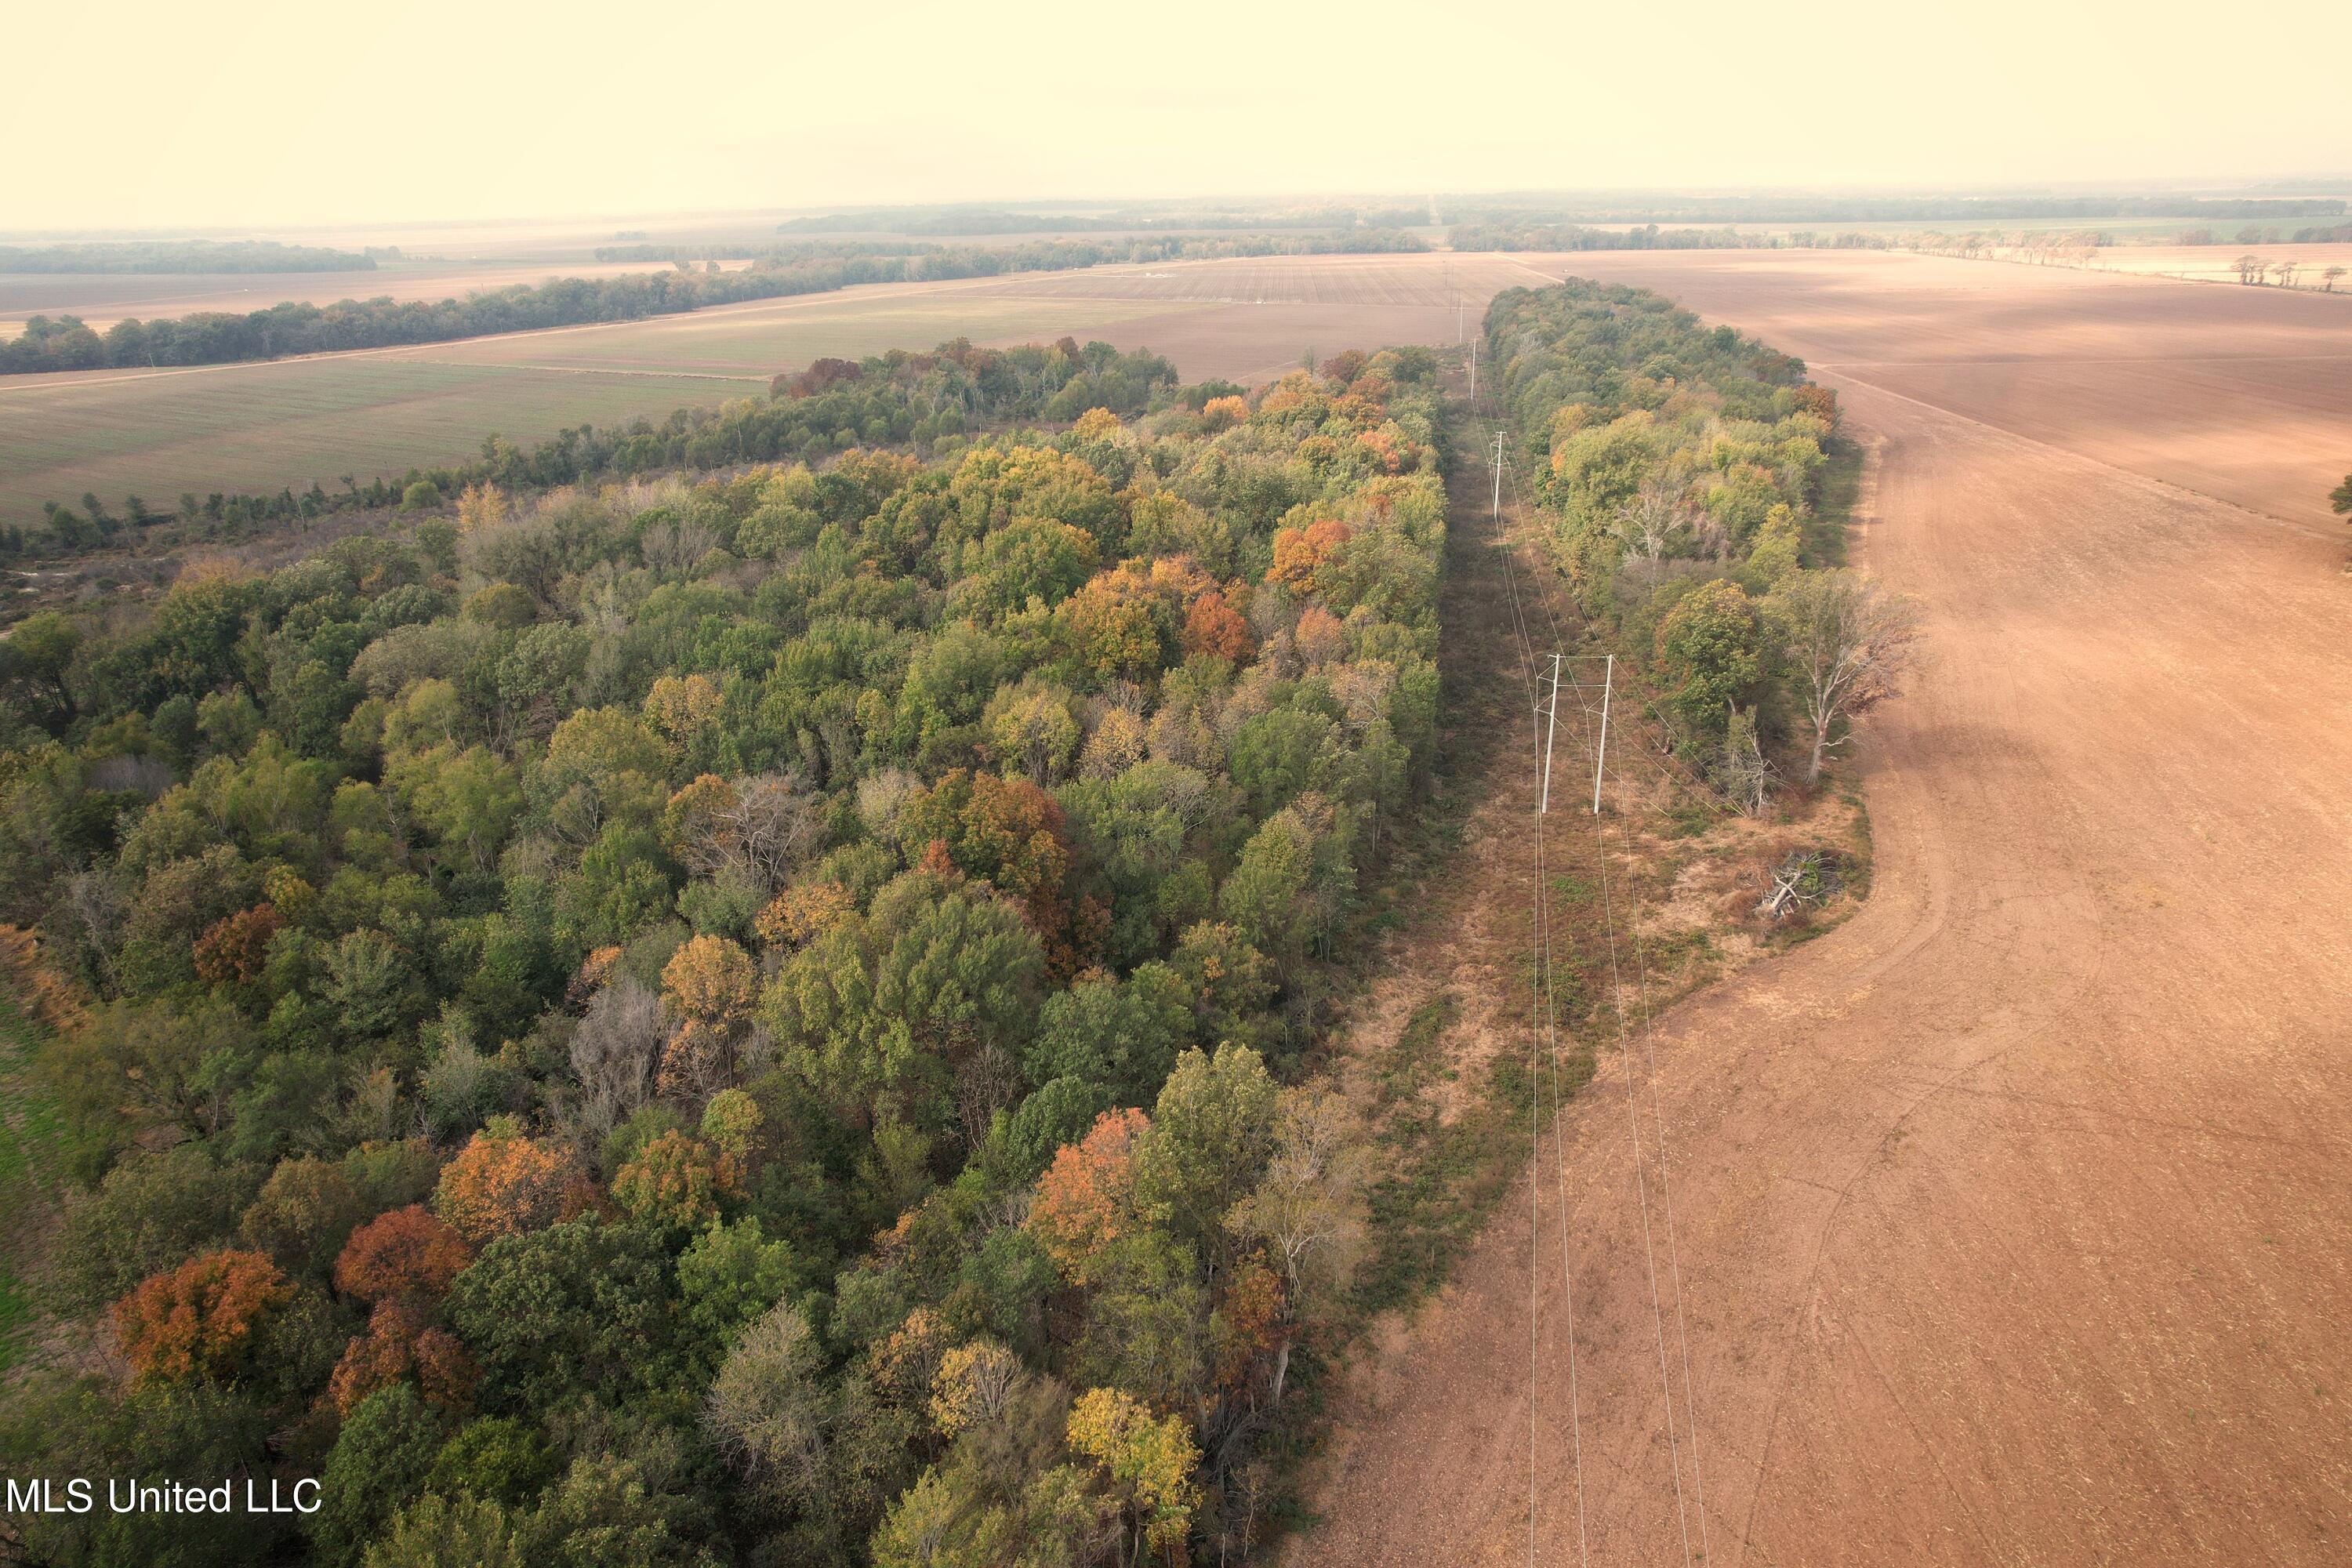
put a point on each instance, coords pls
(740, 1019)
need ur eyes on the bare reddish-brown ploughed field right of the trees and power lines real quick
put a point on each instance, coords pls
(2012, 1219)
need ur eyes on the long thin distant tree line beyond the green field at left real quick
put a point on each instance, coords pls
(218, 337)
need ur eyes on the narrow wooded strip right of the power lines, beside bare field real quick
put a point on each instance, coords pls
(1681, 471)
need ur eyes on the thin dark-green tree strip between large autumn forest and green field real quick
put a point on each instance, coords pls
(897, 398)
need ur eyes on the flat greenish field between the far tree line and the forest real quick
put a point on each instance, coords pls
(262, 427)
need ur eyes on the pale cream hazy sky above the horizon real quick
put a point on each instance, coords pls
(276, 114)
